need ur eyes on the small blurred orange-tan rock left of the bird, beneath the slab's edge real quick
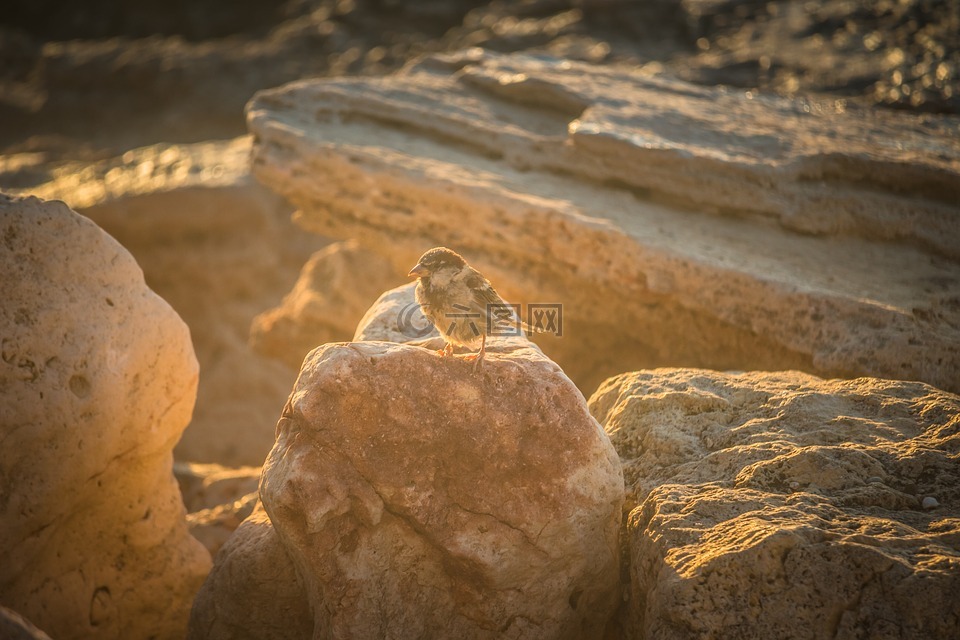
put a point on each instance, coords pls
(335, 288)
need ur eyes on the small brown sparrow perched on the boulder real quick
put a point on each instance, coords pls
(460, 302)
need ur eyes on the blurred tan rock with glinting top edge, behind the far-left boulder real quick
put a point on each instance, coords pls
(219, 248)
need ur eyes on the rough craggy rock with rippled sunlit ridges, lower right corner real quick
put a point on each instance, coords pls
(781, 505)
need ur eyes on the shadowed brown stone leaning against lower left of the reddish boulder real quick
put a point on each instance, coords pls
(253, 592)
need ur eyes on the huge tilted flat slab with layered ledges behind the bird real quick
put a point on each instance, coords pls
(677, 224)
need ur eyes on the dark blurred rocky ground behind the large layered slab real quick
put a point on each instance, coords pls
(102, 75)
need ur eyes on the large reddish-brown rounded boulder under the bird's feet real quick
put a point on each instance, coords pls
(418, 498)
